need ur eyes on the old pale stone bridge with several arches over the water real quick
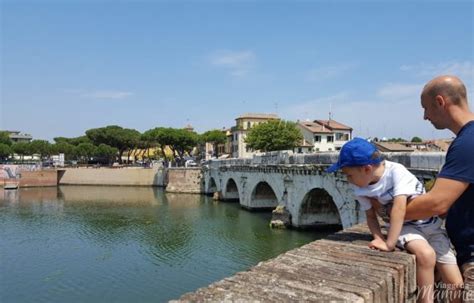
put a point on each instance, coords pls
(299, 184)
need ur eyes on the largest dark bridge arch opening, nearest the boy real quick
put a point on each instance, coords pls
(318, 208)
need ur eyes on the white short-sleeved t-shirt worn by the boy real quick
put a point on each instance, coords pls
(396, 180)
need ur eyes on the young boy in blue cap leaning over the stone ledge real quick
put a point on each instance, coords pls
(384, 188)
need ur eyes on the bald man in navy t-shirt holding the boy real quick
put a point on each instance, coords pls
(444, 100)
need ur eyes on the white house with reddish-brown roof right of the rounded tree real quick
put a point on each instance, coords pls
(324, 135)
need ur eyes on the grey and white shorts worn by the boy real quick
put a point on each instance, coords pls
(433, 234)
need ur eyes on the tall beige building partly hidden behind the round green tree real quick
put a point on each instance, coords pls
(239, 132)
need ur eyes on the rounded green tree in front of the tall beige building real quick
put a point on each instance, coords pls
(274, 135)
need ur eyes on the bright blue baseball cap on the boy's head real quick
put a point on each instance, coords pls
(357, 152)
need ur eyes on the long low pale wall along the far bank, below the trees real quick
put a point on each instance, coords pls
(112, 176)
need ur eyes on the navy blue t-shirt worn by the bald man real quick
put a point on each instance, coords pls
(459, 166)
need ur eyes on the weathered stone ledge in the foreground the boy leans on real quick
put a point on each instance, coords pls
(338, 268)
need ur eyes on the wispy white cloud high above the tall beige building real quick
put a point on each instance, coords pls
(239, 63)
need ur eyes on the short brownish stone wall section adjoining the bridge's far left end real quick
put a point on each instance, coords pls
(185, 180)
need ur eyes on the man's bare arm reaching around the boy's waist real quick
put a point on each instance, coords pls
(437, 201)
